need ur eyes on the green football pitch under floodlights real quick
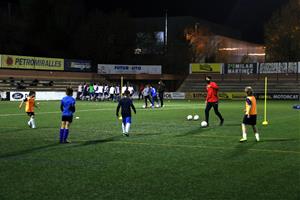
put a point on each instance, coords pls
(166, 157)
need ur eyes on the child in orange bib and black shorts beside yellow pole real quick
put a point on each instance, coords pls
(250, 115)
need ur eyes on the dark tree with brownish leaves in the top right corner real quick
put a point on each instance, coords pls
(282, 34)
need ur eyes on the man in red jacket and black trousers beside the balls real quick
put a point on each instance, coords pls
(212, 99)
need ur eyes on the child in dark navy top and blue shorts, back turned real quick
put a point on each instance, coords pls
(125, 104)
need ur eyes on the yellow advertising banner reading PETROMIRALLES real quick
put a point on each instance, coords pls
(26, 62)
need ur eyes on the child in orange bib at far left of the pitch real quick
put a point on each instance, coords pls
(29, 108)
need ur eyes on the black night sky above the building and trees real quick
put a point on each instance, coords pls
(248, 16)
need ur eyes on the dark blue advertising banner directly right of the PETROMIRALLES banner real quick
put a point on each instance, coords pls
(78, 65)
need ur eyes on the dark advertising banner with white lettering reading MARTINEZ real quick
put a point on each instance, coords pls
(249, 68)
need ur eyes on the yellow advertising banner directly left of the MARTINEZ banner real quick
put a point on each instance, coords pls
(205, 68)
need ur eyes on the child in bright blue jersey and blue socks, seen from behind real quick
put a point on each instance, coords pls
(67, 108)
